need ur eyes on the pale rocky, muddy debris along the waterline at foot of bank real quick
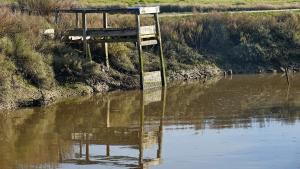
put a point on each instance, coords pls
(111, 80)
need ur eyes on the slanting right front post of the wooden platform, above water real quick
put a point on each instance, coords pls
(162, 62)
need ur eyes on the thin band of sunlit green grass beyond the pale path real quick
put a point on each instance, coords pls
(203, 3)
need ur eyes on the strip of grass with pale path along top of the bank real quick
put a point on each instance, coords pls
(179, 5)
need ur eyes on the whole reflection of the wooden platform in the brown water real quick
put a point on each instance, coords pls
(135, 136)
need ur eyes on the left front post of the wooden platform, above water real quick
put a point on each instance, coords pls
(140, 50)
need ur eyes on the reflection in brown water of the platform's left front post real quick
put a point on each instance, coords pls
(141, 135)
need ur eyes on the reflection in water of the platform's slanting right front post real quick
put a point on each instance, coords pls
(161, 123)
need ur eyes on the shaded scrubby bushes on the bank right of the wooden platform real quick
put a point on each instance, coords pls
(242, 42)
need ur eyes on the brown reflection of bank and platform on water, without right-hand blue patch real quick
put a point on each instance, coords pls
(93, 130)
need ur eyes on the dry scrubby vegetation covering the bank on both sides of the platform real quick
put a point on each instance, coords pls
(31, 63)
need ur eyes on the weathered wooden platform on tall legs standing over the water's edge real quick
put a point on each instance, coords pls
(141, 35)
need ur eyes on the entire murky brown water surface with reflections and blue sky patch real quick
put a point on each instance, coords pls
(249, 122)
